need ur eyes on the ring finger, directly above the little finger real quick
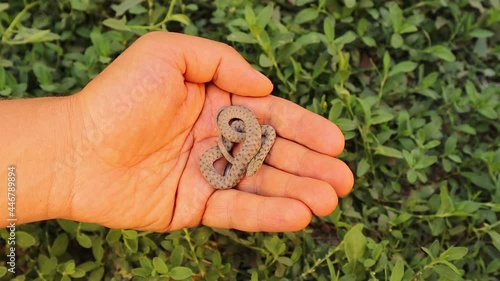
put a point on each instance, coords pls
(318, 195)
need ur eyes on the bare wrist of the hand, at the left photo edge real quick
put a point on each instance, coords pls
(39, 142)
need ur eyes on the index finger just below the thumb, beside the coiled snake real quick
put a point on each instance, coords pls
(296, 123)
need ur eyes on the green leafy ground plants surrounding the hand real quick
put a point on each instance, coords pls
(414, 85)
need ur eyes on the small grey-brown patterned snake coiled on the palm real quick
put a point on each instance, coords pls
(237, 124)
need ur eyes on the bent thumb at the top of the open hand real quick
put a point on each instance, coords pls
(201, 60)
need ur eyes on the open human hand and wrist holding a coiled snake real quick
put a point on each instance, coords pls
(124, 152)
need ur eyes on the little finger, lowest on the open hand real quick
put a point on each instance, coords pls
(250, 212)
